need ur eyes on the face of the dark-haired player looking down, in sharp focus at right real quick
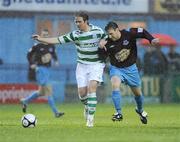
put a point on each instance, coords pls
(113, 34)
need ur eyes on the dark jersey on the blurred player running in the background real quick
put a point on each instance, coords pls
(41, 54)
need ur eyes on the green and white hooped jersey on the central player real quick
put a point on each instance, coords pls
(87, 44)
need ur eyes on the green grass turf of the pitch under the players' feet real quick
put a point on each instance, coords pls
(163, 125)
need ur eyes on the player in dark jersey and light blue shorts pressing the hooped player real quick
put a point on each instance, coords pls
(121, 48)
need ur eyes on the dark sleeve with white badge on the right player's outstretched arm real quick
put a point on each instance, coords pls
(141, 33)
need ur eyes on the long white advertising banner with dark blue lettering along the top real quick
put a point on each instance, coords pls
(100, 6)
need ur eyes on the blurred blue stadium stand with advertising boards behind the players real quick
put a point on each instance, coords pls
(19, 19)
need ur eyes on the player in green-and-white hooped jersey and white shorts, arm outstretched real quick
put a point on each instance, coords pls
(90, 68)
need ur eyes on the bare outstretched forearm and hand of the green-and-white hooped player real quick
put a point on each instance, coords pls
(52, 40)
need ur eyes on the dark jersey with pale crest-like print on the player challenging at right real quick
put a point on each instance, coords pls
(123, 52)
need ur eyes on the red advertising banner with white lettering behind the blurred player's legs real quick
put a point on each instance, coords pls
(12, 93)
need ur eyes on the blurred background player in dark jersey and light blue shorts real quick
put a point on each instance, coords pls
(40, 57)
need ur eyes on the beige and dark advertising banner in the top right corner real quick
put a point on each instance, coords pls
(167, 6)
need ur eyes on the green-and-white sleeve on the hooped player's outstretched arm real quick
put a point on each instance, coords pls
(67, 38)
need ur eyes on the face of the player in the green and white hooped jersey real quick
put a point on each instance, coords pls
(80, 23)
